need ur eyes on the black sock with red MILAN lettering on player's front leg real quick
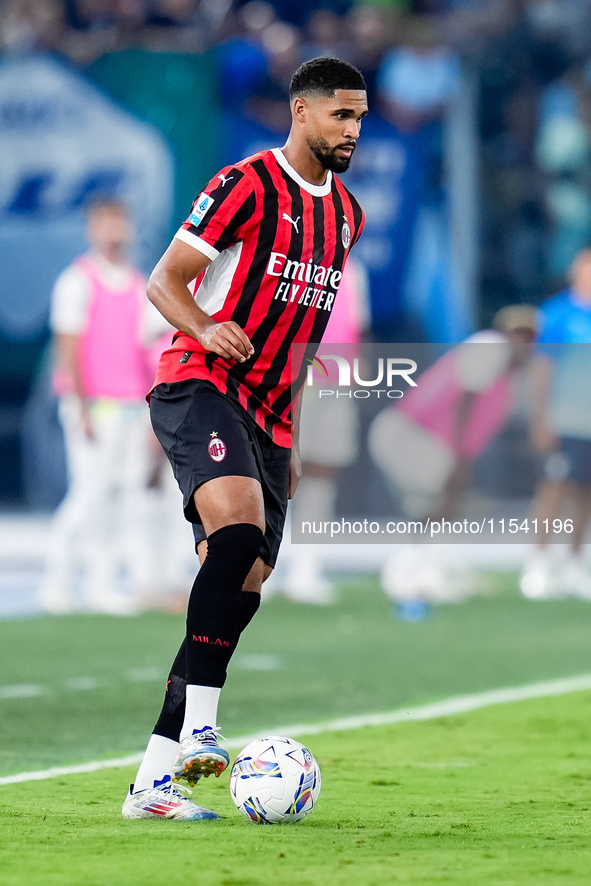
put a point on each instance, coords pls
(214, 612)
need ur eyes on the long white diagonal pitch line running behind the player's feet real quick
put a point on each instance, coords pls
(448, 707)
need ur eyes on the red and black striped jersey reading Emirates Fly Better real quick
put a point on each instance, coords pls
(278, 246)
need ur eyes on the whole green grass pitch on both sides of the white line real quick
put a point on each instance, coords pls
(498, 795)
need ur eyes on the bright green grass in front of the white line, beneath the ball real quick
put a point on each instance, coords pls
(497, 796)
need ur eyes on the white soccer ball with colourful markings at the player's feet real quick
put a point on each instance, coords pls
(274, 780)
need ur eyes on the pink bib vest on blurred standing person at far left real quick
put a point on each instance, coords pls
(113, 362)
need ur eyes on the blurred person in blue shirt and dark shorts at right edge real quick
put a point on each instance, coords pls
(561, 431)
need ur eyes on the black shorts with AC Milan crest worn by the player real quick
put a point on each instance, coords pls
(207, 435)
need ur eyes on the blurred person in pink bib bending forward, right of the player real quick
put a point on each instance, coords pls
(426, 447)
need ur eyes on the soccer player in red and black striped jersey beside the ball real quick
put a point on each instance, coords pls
(266, 243)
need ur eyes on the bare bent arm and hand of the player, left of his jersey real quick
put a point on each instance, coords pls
(168, 291)
